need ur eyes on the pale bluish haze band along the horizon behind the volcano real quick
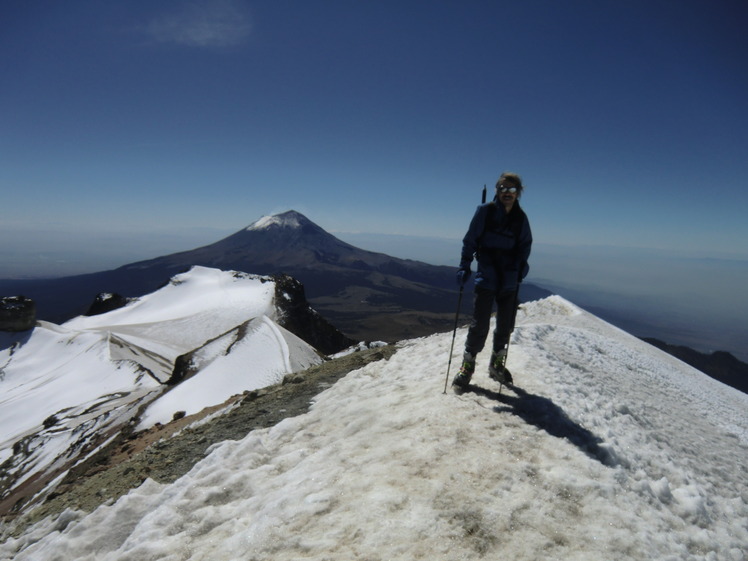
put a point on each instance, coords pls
(671, 295)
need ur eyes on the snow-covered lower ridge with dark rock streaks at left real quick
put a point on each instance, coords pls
(65, 388)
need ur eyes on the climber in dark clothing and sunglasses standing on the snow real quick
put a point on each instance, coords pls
(500, 239)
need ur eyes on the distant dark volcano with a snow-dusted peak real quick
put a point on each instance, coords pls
(357, 290)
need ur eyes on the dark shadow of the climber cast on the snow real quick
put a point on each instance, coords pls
(546, 415)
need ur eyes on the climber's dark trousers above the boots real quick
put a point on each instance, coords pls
(481, 324)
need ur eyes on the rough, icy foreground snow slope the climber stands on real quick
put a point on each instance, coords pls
(610, 450)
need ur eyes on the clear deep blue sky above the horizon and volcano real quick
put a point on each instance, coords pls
(134, 129)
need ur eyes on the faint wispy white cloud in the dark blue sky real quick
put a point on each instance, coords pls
(221, 23)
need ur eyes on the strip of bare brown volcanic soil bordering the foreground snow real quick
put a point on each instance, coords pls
(166, 452)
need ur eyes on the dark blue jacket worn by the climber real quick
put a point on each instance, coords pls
(501, 244)
